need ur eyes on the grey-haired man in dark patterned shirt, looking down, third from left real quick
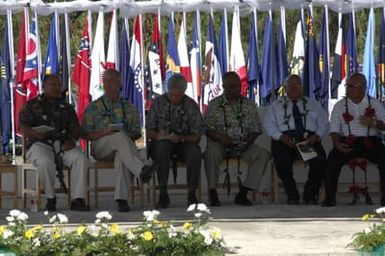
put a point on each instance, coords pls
(174, 126)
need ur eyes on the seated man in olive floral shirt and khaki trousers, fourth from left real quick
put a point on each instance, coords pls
(233, 124)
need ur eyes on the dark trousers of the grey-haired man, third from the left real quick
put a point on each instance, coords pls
(190, 153)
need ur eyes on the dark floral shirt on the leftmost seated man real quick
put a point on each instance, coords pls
(58, 114)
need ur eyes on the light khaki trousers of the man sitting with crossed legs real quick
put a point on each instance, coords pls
(120, 148)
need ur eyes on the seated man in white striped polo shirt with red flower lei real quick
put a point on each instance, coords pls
(355, 123)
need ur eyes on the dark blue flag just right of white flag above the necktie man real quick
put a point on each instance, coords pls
(311, 73)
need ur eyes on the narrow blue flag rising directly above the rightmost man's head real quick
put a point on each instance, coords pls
(351, 48)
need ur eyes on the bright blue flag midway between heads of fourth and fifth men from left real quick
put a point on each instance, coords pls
(268, 59)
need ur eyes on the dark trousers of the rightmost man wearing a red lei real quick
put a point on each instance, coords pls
(336, 160)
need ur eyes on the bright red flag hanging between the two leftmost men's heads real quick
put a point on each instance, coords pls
(81, 72)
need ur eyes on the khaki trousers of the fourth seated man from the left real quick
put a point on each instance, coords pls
(256, 158)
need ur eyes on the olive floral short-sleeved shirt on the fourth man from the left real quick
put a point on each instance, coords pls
(234, 120)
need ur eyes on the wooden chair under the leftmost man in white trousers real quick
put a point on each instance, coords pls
(37, 191)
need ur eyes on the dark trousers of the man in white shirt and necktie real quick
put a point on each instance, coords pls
(284, 157)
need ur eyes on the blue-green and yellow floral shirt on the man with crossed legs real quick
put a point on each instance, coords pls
(102, 112)
